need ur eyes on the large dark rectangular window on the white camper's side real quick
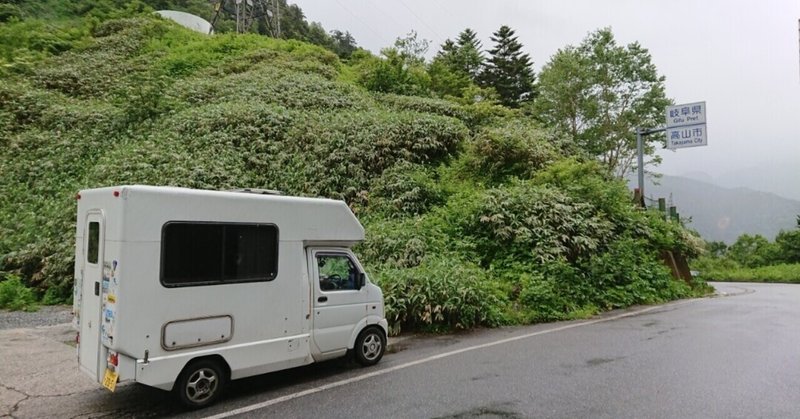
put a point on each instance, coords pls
(214, 253)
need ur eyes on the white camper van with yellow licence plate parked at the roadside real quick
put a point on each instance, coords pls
(185, 289)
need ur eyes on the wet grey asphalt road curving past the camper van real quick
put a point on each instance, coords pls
(736, 355)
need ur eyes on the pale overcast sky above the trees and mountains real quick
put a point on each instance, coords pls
(741, 58)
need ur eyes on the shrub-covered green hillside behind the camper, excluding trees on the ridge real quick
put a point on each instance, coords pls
(474, 215)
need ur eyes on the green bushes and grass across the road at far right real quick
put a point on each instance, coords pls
(753, 258)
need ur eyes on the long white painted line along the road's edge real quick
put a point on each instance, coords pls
(335, 384)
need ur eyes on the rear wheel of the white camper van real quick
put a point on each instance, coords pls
(201, 383)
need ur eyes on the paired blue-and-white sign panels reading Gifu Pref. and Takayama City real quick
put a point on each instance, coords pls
(686, 125)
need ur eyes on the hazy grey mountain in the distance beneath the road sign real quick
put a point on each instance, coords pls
(723, 214)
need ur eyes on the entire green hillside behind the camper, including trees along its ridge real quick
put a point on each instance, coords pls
(483, 206)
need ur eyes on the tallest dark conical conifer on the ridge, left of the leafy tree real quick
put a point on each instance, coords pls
(508, 71)
